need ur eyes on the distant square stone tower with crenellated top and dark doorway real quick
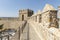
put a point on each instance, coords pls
(25, 14)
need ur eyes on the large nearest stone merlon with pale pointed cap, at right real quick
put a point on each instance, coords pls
(49, 16)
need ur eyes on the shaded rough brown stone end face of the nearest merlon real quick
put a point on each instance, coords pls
(53, 18)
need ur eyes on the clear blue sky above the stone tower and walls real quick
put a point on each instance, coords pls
(10, 8)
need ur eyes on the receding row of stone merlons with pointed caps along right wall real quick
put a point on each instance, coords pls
(47, 17)
